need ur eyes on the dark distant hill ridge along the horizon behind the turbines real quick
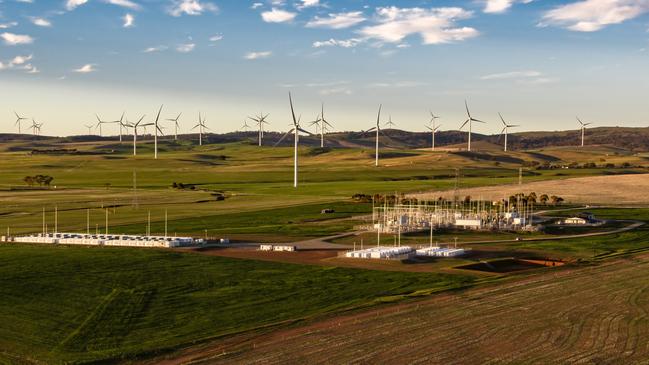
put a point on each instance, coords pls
(634, 139)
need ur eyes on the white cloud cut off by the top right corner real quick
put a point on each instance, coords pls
(593, 15)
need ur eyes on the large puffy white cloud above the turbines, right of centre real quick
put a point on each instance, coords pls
(435, 26)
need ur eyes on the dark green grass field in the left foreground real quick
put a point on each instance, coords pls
(76, 304)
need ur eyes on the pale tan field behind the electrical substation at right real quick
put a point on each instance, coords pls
(610, 190)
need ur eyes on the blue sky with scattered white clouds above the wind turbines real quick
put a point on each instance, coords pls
(538, 62)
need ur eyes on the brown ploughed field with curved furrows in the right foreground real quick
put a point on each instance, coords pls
(590, 315)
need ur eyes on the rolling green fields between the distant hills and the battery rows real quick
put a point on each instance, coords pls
(251, 179)
